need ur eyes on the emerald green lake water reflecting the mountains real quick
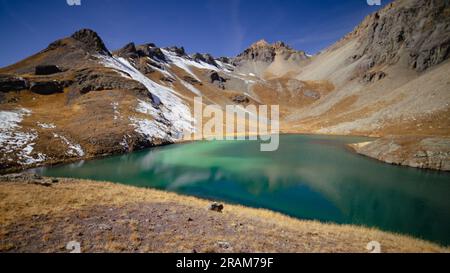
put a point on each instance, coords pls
(309, 177)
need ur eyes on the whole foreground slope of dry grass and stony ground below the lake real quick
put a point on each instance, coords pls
(110, 217)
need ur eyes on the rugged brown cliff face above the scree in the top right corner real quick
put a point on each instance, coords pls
(419, 29)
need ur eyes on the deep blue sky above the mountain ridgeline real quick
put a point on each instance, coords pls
(219, 27)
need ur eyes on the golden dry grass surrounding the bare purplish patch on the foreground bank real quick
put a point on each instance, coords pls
(262, 231)
